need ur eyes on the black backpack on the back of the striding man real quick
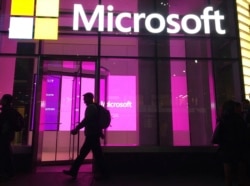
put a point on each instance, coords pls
(104, 117)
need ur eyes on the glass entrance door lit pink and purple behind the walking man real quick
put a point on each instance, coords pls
(62, 107)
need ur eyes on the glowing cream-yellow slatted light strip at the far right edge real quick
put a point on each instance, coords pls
(244, 28)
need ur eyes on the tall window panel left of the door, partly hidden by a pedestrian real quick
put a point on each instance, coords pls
(17, 78)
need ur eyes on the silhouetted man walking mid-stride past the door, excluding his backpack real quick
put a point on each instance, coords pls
(93, 133)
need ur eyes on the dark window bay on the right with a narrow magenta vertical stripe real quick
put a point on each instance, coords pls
(187, 102)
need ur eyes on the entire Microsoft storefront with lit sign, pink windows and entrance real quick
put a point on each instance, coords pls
(163, 69)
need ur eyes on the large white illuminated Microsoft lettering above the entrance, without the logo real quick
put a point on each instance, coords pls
(172, 24)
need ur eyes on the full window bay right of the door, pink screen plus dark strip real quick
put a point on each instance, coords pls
(135, 122)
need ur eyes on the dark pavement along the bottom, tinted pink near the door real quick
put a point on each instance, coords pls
(53, 176)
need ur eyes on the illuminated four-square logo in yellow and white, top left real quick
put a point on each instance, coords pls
(34, 19)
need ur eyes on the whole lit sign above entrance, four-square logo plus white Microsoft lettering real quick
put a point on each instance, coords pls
(38, 19)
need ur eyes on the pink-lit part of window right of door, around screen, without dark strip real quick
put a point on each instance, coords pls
(122, 101)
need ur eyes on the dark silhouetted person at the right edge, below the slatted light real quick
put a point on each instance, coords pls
(231, 137)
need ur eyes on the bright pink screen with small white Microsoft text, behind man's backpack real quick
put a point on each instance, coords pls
(122, 102)
